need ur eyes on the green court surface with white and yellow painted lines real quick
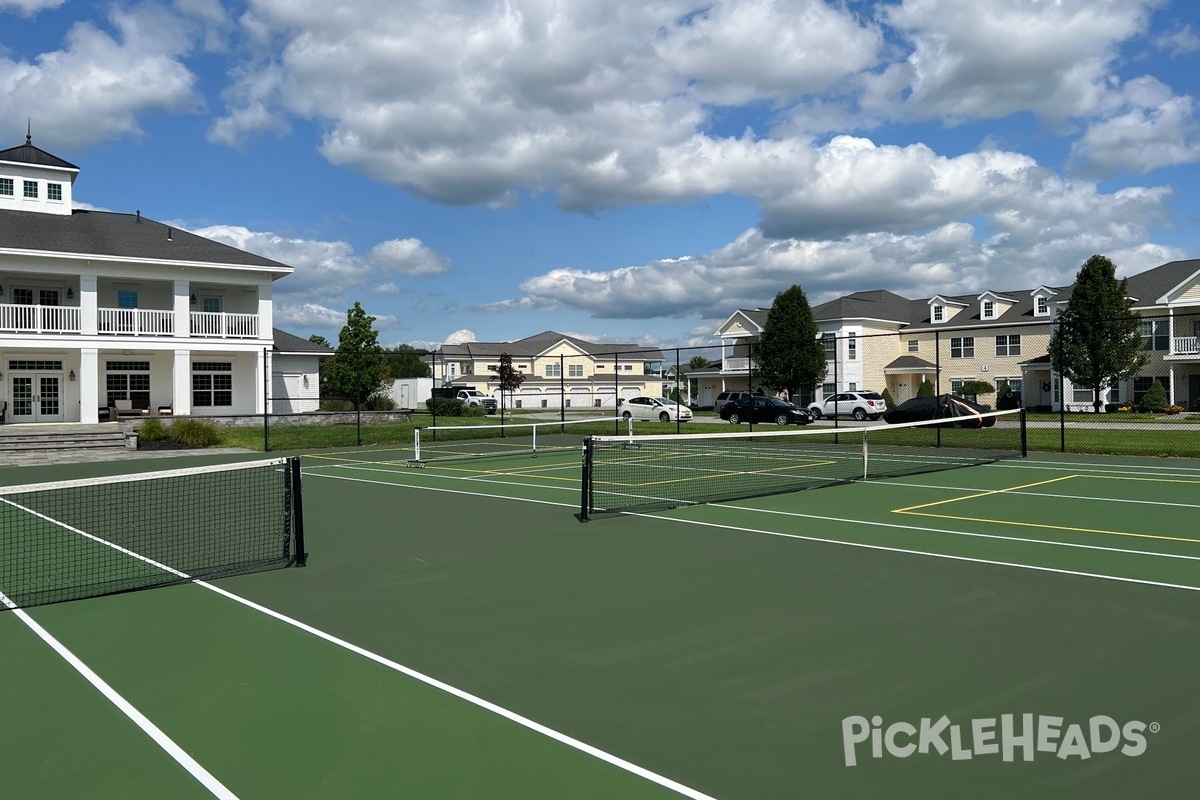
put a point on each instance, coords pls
(459, 634)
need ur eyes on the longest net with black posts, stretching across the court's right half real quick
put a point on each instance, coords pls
(650, 473)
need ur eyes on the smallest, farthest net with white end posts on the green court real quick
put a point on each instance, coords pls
(459, 442)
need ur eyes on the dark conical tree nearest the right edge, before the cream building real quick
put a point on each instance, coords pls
(1096, 342)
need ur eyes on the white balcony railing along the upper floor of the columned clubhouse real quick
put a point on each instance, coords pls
(34, 320)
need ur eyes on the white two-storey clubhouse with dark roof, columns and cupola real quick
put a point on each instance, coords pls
(106, 314)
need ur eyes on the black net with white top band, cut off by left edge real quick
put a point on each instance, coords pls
(98, 537)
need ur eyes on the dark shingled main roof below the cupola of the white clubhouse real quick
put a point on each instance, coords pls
(123, 236)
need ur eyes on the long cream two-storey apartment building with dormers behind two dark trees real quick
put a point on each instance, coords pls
(879, 340)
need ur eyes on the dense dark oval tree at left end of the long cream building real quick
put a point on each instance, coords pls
(790, 356)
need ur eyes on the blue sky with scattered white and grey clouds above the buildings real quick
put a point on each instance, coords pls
(625, 172)
